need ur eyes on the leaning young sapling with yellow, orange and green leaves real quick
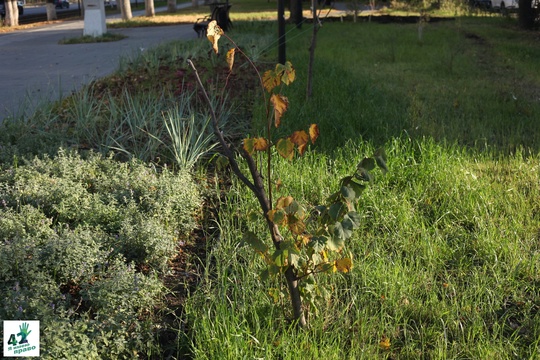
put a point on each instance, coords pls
(312, 244)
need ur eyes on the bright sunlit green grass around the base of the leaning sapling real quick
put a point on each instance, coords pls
(446, 264)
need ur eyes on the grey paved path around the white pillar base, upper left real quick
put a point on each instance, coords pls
(35, 68)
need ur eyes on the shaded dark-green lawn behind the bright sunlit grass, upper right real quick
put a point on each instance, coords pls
(459, 85)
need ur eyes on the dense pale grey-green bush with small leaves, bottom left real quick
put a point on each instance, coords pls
(82, 243)
